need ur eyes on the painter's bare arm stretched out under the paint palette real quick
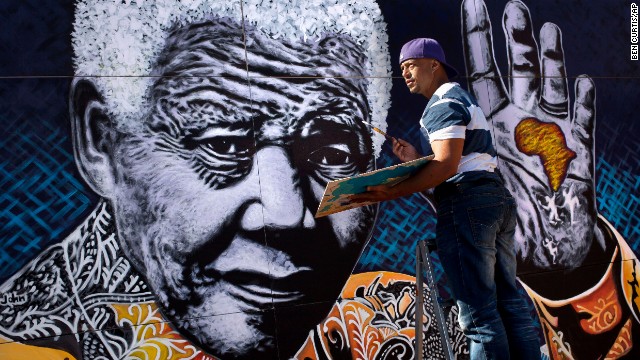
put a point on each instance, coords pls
(447, 155)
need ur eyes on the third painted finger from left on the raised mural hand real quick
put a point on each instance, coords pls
(554, 99)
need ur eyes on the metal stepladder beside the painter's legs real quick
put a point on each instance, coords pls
(423, 264)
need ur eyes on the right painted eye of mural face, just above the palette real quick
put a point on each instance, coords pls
(331, 162)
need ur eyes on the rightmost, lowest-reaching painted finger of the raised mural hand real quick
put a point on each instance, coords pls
(583, 124)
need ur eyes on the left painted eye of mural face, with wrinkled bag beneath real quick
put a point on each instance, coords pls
(221, 160)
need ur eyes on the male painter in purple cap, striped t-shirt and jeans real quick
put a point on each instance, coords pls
(476, 214)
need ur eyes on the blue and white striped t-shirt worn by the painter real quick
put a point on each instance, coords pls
(452, 113)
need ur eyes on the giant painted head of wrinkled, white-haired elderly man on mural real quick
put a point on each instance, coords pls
(213, 156)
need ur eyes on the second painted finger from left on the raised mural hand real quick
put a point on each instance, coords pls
(522, 52)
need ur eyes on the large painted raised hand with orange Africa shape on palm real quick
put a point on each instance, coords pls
(545, 151)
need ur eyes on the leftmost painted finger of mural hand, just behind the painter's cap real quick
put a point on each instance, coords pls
(484, 76)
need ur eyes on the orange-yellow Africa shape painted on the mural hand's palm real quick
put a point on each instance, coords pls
(547, 141)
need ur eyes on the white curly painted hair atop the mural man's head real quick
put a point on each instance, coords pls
(118, 41)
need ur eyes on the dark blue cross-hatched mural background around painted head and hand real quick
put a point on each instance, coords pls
(43, 198)
